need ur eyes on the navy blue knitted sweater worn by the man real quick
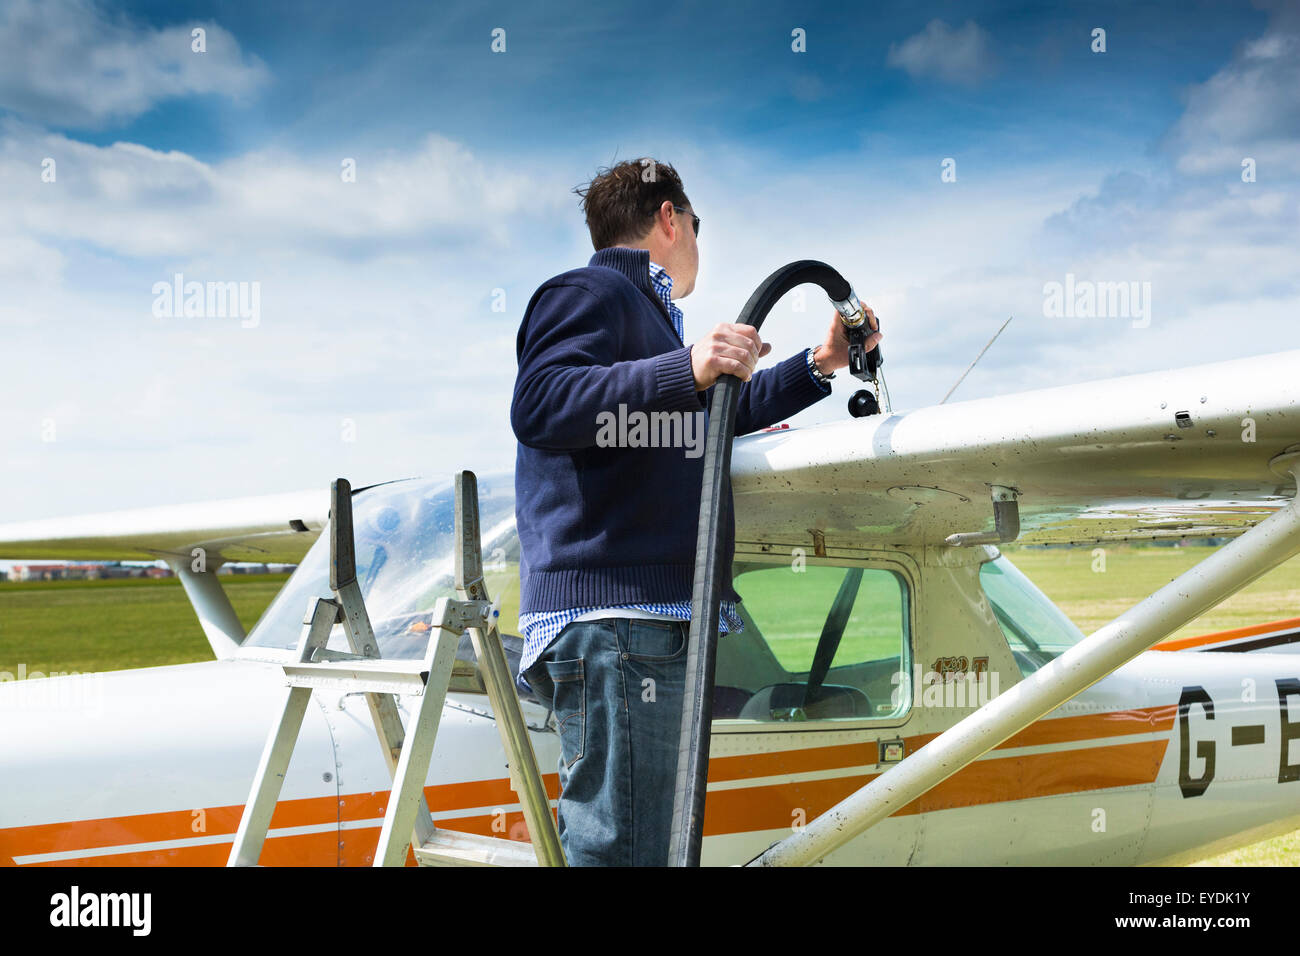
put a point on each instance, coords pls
(612, 526)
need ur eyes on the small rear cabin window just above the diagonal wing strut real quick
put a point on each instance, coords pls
(1037, 629)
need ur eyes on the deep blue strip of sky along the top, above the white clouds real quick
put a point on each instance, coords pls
(385, 73)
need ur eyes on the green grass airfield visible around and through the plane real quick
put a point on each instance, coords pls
(93, 626)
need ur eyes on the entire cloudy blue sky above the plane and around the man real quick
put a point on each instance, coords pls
(378, 352)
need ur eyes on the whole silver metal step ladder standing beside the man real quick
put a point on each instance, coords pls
(406, 821)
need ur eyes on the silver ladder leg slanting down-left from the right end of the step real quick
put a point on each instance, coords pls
(408, 807)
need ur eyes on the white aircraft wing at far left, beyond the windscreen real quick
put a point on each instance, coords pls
(274, 529)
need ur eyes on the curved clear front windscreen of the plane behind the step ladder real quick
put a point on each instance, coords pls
(405, 535)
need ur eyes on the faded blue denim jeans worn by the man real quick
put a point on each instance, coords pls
(617, 689)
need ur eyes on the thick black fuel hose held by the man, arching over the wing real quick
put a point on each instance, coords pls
(688, 799)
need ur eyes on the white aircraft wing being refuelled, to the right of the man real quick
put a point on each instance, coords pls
(1191, 452)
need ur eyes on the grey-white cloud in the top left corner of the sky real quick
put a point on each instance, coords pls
(70, 63)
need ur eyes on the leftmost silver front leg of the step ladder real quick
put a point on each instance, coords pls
(255, 820)
